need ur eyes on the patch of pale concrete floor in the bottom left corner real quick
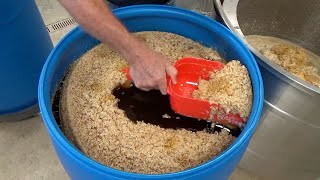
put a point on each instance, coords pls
(26, 152)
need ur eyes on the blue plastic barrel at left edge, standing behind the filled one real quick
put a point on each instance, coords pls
(24, 46)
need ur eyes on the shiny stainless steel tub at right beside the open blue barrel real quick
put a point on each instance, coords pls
(286, 144)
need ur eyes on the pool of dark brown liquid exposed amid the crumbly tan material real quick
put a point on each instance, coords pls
(154, 108)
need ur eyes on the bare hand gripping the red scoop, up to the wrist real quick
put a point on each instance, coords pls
(148, 70)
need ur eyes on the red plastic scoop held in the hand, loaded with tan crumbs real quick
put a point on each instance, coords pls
(190, 70)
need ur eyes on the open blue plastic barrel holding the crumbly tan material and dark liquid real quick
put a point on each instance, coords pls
(146, 18)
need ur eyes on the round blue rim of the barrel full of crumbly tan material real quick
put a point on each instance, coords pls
(58, 135)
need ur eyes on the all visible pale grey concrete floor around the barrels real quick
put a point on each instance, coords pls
(26, 152)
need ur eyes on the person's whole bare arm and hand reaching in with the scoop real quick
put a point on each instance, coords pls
(148, 69)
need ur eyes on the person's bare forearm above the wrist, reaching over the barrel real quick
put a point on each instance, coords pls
(97, 19)
